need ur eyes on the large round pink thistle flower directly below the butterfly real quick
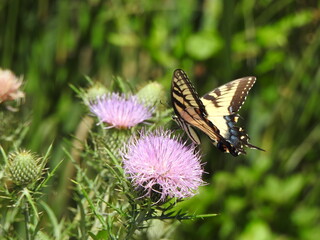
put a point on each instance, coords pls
(161, 163)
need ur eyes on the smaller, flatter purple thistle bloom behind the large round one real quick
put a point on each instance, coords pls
(120, 111)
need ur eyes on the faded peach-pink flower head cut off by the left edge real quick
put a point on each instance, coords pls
(9, 86)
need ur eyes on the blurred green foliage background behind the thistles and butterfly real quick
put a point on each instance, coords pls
(263, 195)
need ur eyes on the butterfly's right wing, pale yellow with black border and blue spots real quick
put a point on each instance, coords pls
(222, 105)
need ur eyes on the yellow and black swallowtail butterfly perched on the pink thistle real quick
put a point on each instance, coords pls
(215, 114)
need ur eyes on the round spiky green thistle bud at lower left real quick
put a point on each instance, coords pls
(24, 167)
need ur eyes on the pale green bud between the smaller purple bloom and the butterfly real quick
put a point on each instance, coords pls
(151, 94)
